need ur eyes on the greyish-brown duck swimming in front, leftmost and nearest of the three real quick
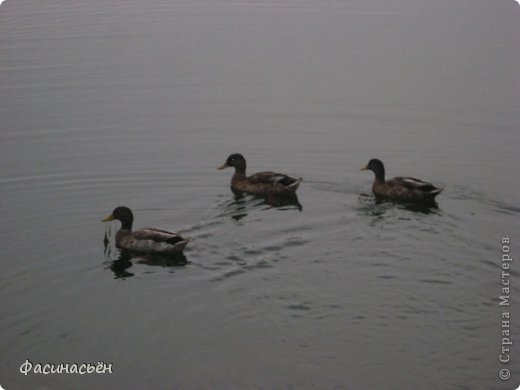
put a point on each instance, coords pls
(147, 240)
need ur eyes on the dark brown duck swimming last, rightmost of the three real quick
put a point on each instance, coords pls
(407, 189)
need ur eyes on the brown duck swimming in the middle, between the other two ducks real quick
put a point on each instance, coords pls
(262, 183)
